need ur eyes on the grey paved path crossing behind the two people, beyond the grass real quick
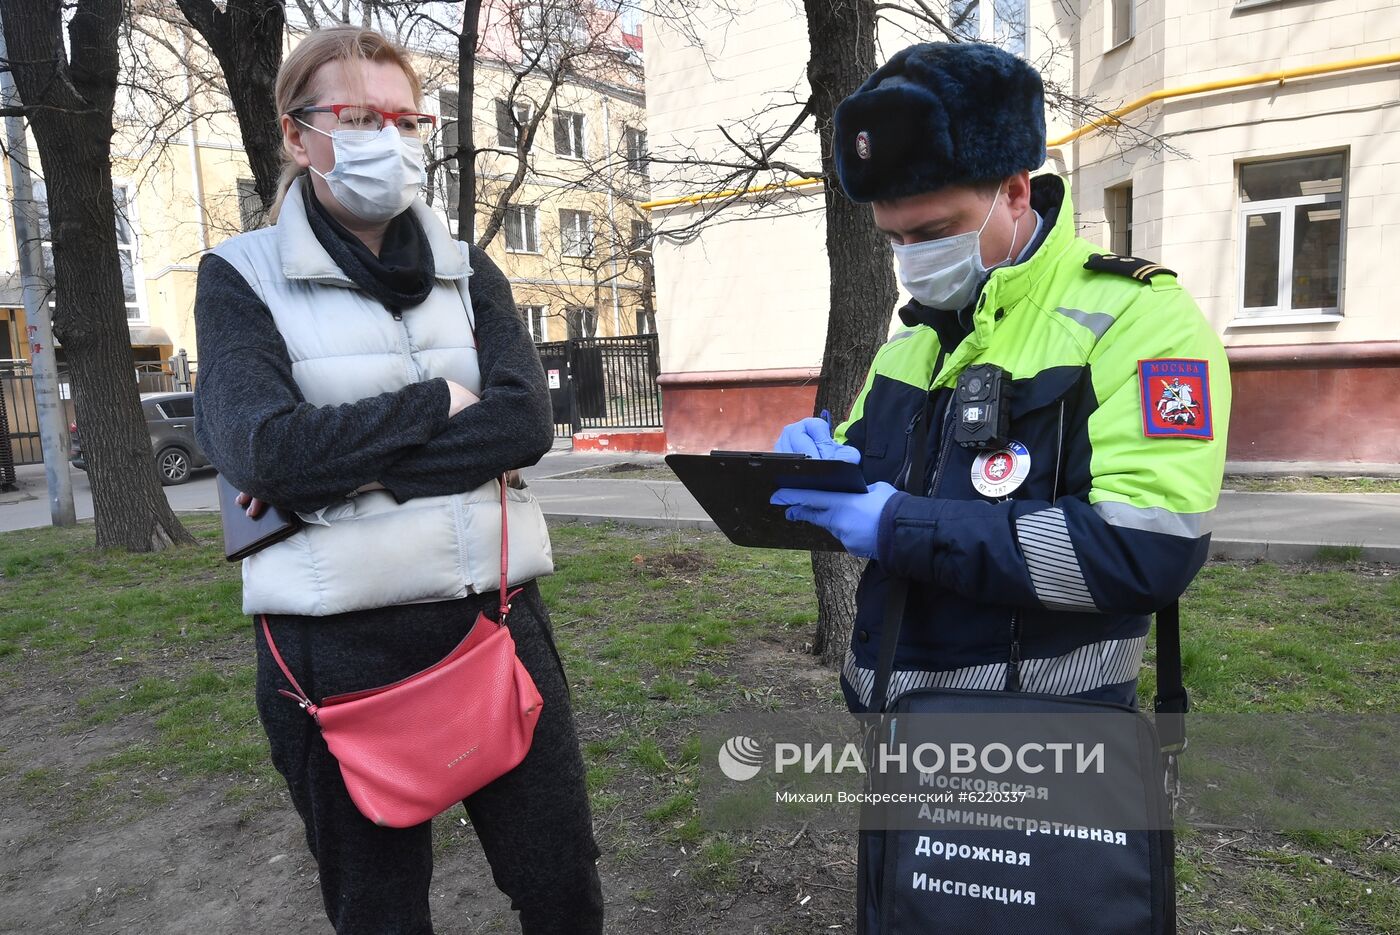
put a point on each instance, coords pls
(1284, 527)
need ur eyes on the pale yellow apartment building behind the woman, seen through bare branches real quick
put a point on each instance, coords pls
(572, 241)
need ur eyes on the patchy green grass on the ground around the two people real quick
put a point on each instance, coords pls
(652, 628)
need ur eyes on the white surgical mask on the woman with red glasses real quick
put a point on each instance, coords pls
(377, 173)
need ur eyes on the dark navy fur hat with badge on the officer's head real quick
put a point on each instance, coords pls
(940, 114)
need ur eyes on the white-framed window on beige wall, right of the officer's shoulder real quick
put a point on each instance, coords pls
(1291, 239)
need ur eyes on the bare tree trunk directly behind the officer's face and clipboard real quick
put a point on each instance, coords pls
(842, 38)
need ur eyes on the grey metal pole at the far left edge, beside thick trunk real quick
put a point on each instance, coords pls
(54, 433)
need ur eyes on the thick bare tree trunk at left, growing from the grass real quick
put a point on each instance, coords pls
(68, 99)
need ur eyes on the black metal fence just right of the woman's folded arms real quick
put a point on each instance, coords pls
(603, 383)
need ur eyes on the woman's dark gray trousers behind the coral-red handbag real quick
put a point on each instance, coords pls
(533, 822)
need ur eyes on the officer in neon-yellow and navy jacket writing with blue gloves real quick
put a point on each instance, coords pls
(1059, 507)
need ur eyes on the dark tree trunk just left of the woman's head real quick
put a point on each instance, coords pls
(247, 40)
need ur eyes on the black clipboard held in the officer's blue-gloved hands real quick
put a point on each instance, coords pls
(734, 488)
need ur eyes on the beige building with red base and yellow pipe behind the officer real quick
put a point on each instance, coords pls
(1261, 163)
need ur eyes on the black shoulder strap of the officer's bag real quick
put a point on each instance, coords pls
(1171, 703)
